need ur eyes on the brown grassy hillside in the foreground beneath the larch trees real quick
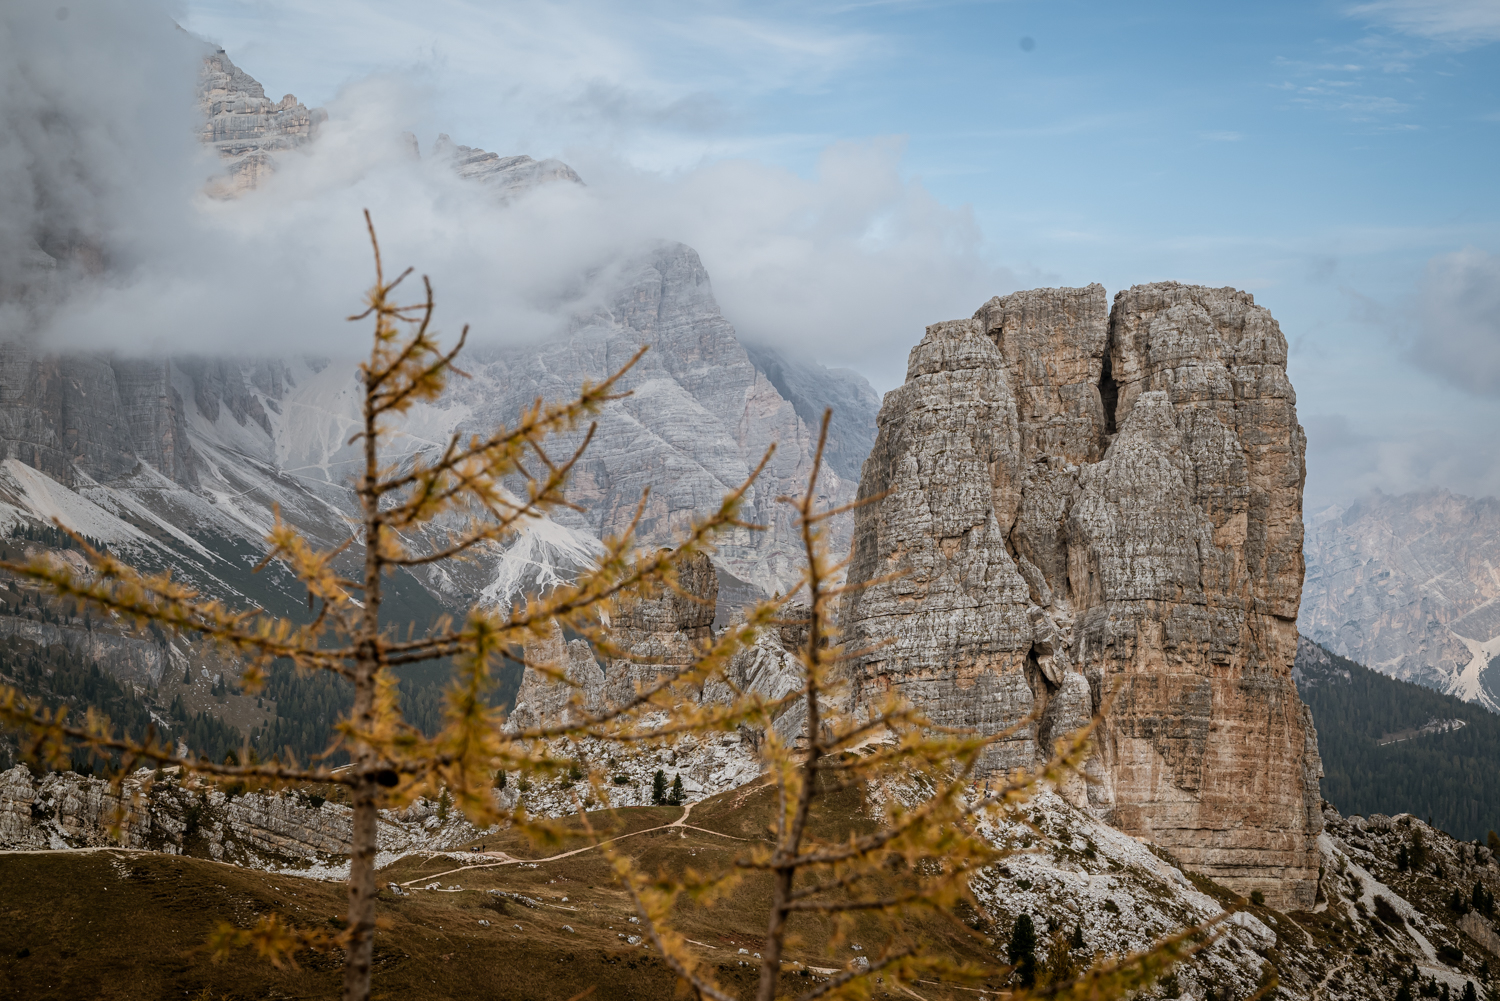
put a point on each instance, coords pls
(131, 925)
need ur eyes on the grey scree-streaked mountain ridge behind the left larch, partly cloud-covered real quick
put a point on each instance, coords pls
(181, 461)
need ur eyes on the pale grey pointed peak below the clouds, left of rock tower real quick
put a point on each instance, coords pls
(698, 421)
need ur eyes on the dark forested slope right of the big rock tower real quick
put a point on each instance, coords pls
(1376, 760)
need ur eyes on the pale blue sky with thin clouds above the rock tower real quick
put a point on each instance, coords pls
(1337, 160)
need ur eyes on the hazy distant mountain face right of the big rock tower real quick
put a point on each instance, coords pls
(1411, 588)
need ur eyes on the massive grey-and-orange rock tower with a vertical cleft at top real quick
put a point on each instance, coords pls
(1091, 504)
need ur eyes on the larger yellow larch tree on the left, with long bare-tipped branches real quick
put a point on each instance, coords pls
(467, 496)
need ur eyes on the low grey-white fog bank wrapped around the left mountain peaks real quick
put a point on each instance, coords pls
(103, 170)
